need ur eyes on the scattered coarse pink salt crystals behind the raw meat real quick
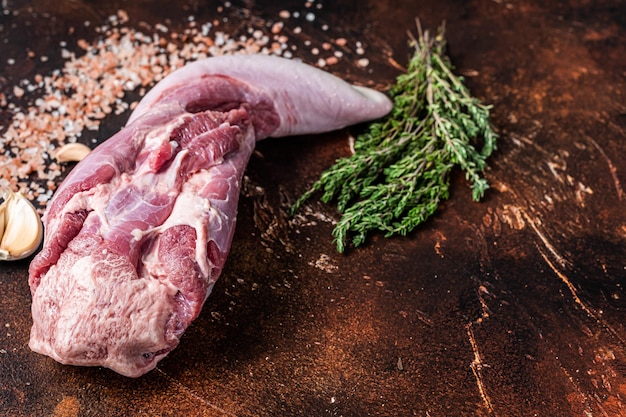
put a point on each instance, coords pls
(74, 99)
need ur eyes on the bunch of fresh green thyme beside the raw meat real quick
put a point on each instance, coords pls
(400, 170)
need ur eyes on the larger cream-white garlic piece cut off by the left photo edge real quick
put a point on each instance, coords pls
(21, 230)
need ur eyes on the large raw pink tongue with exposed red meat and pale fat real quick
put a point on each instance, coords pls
(139, 231)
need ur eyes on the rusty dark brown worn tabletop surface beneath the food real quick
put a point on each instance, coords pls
(511, 307)
